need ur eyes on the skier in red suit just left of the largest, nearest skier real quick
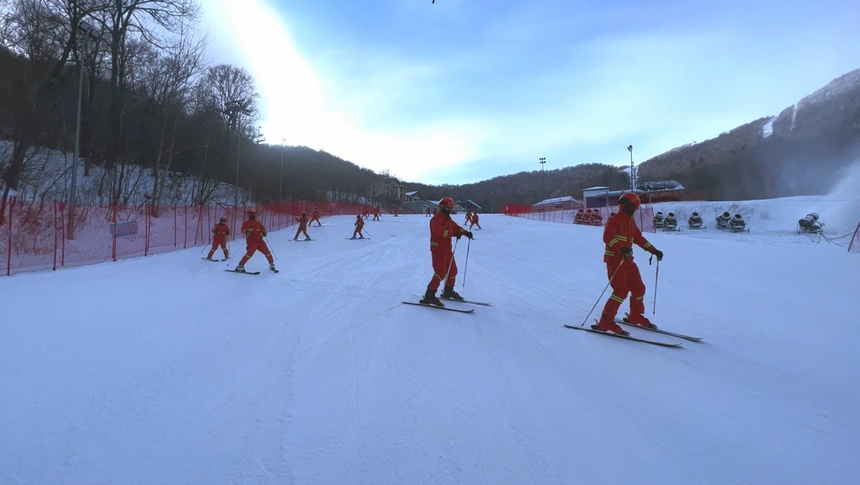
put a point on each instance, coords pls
(442, 229)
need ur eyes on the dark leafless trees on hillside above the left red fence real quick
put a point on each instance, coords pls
(136, 71)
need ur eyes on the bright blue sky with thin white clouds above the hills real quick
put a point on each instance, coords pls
(461, 91)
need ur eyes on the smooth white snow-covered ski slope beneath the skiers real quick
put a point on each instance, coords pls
(166, 369)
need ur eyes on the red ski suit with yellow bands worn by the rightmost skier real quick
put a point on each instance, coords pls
(621, 231)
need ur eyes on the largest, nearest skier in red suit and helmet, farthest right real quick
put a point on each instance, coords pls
(619, 234)
